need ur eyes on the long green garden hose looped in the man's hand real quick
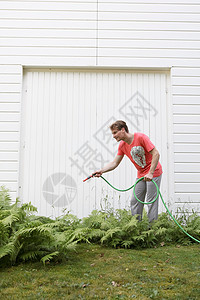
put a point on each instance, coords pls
(158, 193)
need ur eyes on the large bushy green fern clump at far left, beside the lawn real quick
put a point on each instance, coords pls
(26, 237)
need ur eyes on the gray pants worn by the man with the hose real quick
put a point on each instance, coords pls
(148, 189)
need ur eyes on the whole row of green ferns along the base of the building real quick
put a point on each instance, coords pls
(24, 236)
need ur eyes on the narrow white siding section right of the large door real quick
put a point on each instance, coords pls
(186, 122)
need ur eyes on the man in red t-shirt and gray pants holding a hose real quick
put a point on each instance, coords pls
(144, 155)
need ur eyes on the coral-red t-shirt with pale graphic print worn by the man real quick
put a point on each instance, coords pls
(138, 153)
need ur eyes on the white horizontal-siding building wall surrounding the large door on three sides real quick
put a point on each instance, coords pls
(130, 34)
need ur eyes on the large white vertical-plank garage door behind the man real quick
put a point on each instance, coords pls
(65, 135)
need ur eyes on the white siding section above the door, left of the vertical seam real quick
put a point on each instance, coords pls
(48, 33)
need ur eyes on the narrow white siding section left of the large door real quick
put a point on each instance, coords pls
(10, 95)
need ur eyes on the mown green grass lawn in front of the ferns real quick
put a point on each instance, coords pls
(96, 272)
